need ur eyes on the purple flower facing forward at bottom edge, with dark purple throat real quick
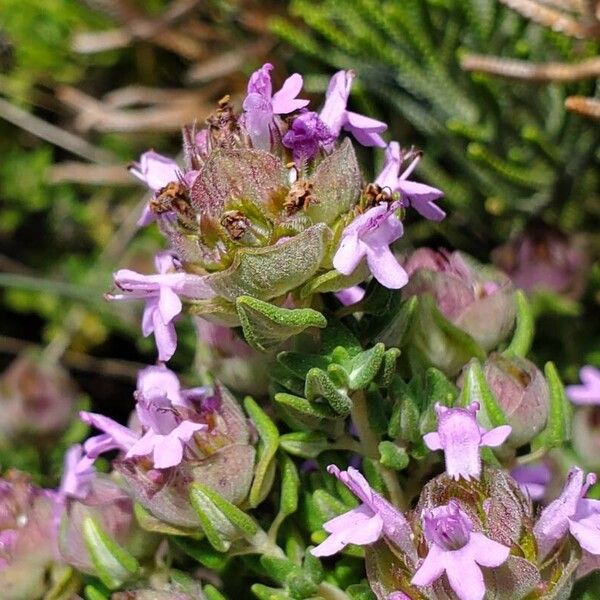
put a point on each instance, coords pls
(457, 550)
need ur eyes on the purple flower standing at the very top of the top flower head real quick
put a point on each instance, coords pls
(260, 105)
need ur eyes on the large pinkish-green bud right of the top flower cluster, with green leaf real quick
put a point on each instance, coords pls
(475, 298)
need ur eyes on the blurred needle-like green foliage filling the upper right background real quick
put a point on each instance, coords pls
(502, 151)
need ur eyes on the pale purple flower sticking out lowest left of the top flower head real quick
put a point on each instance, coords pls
(161, 293)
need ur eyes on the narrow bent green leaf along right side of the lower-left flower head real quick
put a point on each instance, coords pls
(269, 442)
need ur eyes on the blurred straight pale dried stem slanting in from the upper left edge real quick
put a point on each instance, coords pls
(53, 134)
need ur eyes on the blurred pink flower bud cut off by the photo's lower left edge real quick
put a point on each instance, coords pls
(27, 537)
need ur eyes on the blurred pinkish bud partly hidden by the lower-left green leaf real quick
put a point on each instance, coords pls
(112, 510)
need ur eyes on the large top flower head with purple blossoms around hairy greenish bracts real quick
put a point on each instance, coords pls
(268, 200)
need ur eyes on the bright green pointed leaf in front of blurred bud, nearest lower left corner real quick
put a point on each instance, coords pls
(112, 563)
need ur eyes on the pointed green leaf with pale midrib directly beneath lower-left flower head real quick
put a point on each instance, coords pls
(221, 521)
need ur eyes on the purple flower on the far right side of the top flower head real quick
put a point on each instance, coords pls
(418, 195)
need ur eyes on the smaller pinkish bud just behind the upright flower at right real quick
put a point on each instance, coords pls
(522, 393)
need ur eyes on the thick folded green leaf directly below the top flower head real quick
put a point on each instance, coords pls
(266, 325)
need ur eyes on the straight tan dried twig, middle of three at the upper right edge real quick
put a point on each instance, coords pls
(522, 69)
